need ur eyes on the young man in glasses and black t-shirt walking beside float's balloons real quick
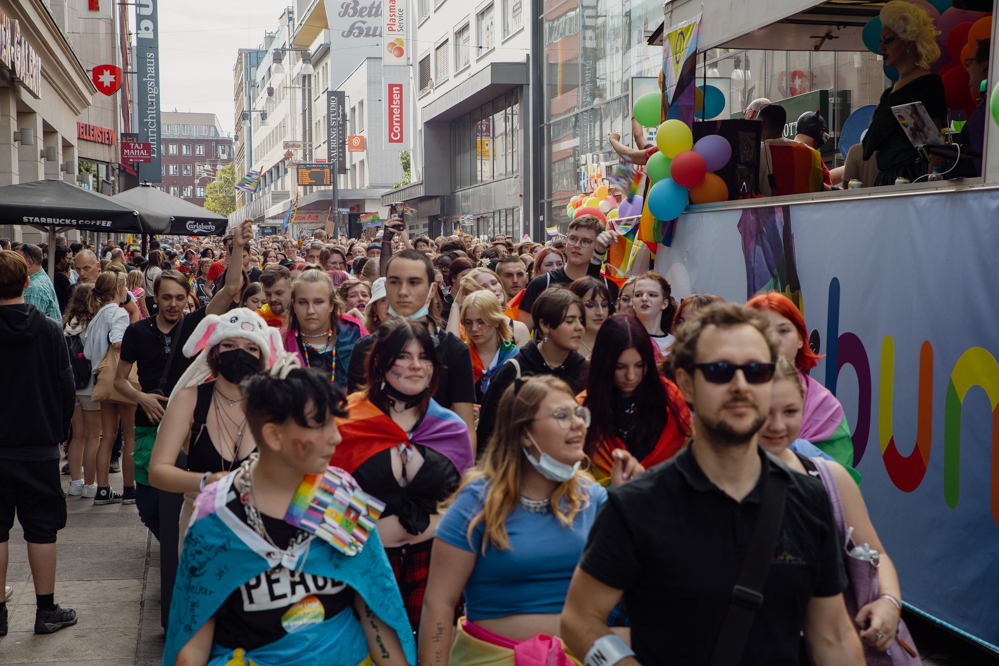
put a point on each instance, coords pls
(586, 246)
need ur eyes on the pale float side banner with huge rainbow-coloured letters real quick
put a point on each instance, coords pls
(905, 313)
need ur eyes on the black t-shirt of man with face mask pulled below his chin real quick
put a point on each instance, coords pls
(454, 381)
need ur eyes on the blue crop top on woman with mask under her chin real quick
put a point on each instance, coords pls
(533, 575)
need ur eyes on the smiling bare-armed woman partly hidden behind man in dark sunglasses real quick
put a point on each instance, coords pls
(878, 620)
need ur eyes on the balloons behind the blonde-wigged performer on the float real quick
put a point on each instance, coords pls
(960, 31)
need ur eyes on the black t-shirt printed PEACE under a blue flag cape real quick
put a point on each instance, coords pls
(278, 601)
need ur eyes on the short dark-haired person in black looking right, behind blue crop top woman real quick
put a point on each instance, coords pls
(554, 351)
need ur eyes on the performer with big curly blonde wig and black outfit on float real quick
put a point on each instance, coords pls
(908, 43)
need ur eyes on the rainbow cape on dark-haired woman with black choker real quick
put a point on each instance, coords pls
(368, 431)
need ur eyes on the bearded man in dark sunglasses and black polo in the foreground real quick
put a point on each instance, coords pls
(675, 540)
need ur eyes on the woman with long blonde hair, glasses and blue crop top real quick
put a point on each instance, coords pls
(512, 537)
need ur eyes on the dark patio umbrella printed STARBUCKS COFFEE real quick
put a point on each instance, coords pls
(55, 204)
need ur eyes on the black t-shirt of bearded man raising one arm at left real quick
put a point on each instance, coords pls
(148, 347)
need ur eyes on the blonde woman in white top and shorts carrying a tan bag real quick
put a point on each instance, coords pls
(107, 327)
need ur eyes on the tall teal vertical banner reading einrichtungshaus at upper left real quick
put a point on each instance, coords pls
(147, 94)
